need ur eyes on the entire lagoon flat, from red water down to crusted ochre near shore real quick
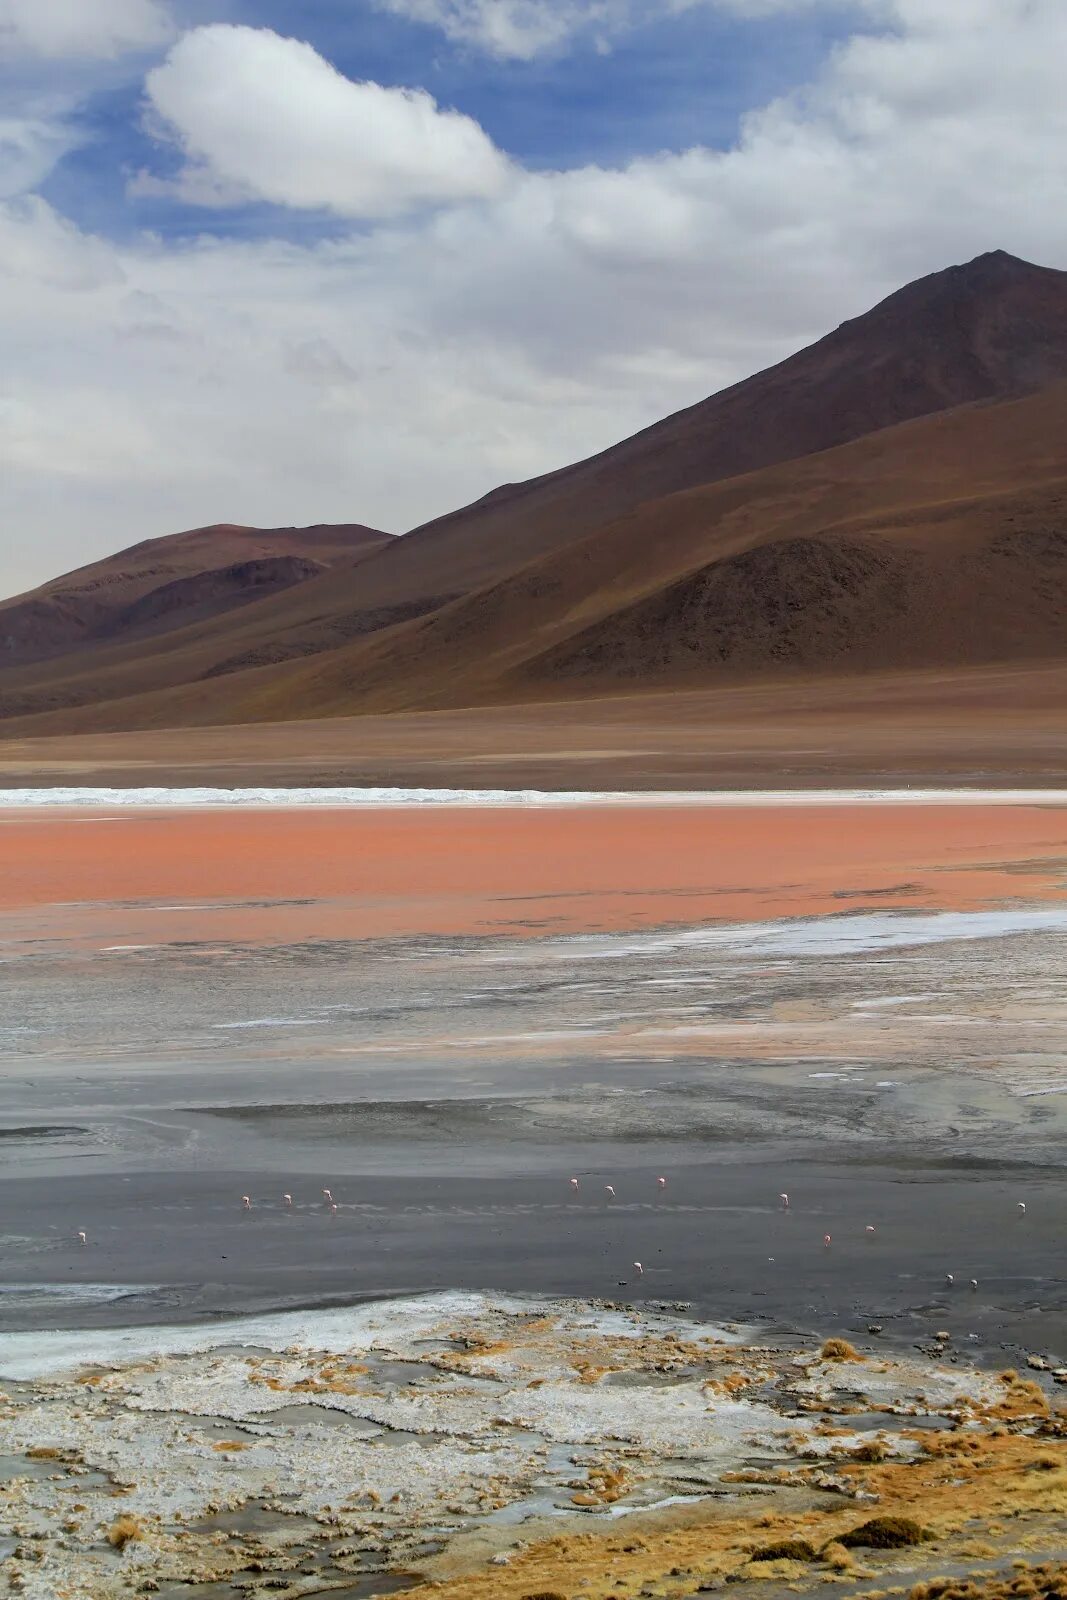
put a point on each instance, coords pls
(420, 1025)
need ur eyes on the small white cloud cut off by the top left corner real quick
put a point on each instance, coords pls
(82, 28)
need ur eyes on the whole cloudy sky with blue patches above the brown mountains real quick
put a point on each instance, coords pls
(287, 262)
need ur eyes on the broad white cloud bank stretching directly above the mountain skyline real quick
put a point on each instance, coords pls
(404, 369)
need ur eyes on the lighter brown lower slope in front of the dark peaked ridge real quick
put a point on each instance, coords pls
(940, 543)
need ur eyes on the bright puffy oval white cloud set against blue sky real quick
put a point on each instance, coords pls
(262, 118)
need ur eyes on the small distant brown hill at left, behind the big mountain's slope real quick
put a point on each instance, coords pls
(172, 582)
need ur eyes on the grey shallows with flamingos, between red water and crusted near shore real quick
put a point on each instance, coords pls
(885, 1070)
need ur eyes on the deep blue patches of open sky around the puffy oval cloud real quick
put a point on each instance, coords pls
(661, 86)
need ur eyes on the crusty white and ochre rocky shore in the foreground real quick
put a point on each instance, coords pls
(506, 1450)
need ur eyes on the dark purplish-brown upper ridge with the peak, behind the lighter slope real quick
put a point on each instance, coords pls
(993, 329)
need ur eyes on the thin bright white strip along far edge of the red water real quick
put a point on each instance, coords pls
(533, 799)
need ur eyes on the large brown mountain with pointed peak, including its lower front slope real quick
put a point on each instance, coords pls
(890, 497)
